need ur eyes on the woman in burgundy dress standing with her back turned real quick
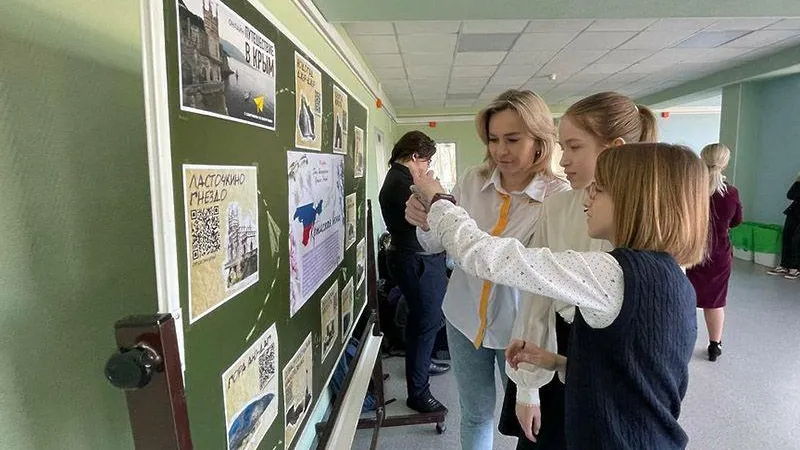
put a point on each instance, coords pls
(710, 279)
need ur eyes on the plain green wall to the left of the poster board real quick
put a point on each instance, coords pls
(77, 240)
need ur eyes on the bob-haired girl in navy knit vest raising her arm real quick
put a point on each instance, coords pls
(634, 326)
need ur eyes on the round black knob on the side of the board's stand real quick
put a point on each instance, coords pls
(132, 368)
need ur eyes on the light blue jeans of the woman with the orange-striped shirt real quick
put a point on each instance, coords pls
(475, 375)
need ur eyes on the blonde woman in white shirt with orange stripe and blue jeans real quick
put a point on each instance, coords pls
(504, 195)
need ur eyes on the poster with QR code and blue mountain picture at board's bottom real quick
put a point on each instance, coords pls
(250, 393)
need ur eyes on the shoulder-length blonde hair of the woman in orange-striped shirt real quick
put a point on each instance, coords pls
(538, 120)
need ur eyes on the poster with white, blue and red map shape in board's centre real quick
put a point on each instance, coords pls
(316, 222)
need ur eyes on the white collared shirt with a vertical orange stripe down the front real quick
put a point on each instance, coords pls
(486, 317)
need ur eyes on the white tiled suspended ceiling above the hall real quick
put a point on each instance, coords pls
(435, 64)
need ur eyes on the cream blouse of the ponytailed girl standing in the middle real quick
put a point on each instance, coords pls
(561, 227)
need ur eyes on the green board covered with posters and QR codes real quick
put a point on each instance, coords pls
(267, 148)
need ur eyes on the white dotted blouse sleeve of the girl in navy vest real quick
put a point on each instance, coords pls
(591, 281)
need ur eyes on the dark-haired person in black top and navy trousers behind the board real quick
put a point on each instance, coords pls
(421, 276)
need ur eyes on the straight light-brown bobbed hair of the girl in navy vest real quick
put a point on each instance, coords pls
(660, 197)
